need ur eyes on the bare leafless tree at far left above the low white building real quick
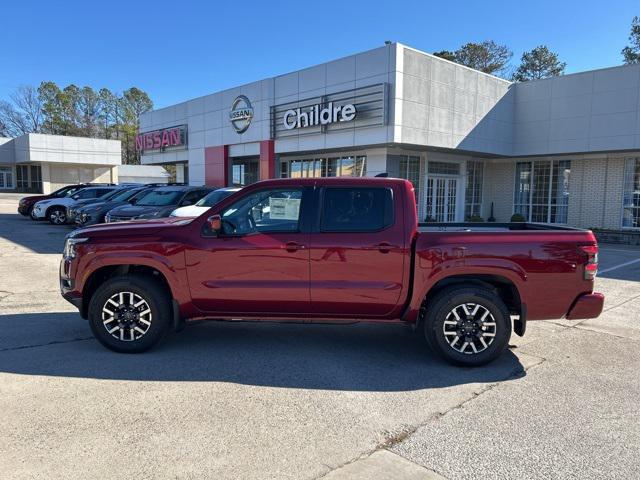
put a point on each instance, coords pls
(23, 114)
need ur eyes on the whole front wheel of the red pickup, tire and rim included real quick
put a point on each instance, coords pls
(130, 314)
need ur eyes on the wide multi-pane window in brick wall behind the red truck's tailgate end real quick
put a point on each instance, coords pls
(542, 190)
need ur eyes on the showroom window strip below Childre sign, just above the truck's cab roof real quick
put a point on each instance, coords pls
(346, 166)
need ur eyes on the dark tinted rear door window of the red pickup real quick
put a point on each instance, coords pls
(356, 209)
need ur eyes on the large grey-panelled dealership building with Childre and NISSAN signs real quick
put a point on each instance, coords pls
(562, 150)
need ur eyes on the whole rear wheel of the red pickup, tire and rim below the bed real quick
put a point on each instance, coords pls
(441, 308)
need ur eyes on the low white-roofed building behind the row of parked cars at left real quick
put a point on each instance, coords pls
(42, 163)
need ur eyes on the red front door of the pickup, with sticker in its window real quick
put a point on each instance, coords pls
(259, 263)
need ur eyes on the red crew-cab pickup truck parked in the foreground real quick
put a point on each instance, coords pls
(337, 250)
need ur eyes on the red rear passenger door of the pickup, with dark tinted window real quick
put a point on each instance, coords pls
(357, 252)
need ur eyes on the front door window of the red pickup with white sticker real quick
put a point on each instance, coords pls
(274, 210)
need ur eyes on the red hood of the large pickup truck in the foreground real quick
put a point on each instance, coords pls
(131, 229)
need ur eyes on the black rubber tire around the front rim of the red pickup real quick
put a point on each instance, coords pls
(157, 299)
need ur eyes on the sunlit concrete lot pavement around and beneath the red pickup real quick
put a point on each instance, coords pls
(223, 400)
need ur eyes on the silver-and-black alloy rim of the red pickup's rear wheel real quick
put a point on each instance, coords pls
(469, 328)
